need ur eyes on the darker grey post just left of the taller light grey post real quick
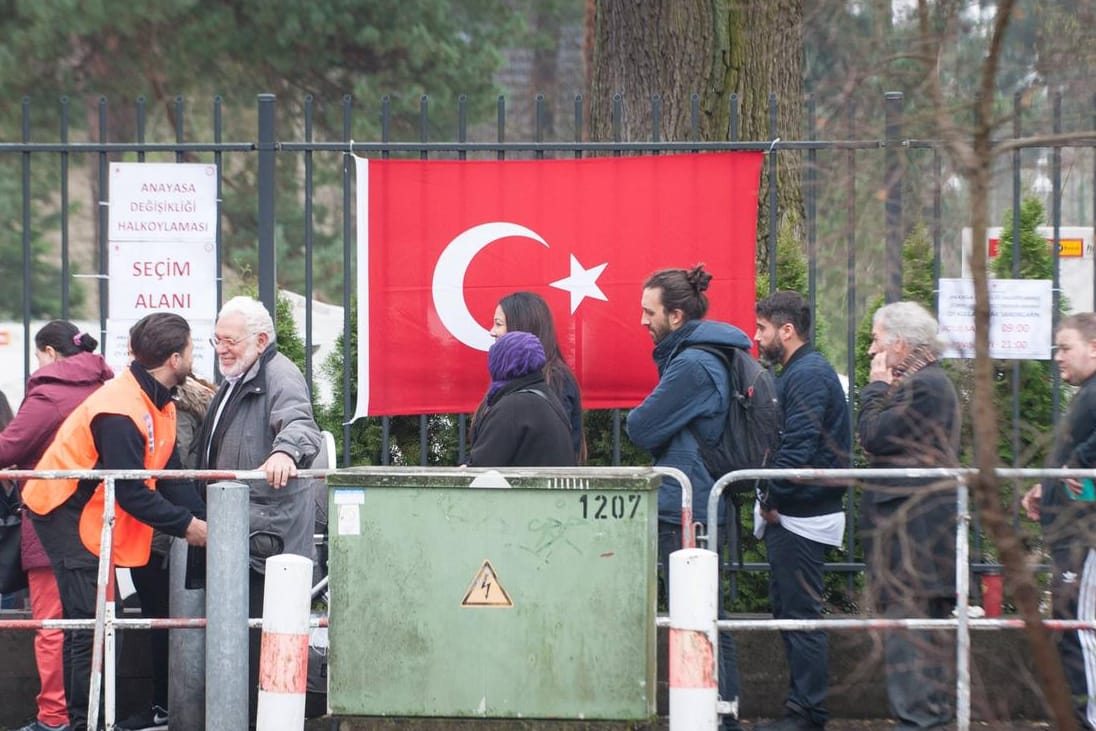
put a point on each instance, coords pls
(187, 680)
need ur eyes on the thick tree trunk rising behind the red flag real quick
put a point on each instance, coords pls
(711, 49)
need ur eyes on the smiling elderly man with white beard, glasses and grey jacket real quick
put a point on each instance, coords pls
(262, 419)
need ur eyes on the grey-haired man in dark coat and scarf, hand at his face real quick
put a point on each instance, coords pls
(910, 418)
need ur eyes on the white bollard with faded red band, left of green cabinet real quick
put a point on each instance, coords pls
(283, 666)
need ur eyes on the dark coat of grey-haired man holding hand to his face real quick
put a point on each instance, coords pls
(909, 526)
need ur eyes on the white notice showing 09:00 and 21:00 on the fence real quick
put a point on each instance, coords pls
(1020, 318)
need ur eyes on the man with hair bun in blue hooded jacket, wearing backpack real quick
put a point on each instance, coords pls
(693, 392)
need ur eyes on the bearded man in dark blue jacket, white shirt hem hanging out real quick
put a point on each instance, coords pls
(800, 520)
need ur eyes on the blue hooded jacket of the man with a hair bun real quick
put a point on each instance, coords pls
(692, 389)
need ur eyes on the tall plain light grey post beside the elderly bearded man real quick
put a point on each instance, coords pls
(227, 608)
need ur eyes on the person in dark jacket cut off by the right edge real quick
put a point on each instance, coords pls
(1068, 513)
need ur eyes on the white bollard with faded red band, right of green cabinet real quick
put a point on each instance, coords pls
(694, 681)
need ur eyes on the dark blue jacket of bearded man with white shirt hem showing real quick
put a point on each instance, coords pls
(817, 433)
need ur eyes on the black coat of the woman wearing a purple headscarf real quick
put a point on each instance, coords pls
(523, 425)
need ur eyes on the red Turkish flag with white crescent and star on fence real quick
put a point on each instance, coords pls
(441, 243)
